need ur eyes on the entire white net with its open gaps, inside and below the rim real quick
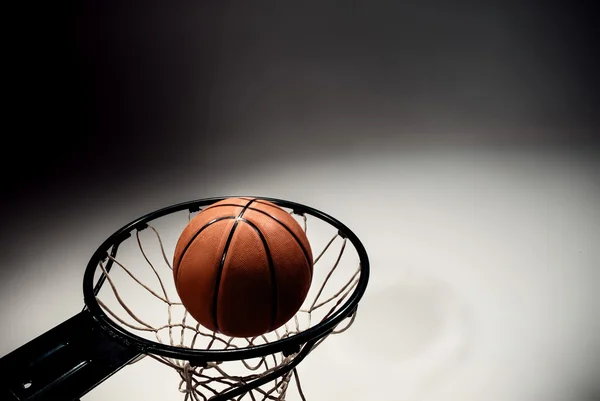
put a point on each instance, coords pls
(139, 295)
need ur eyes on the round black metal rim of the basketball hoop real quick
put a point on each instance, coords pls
(289, 344)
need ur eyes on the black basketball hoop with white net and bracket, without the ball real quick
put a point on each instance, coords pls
(131, 298)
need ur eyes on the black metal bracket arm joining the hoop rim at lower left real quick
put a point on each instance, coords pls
(62, 364)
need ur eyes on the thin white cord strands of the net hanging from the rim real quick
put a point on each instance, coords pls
(196, 381)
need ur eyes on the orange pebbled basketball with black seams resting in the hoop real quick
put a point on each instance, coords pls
(243, 267)
